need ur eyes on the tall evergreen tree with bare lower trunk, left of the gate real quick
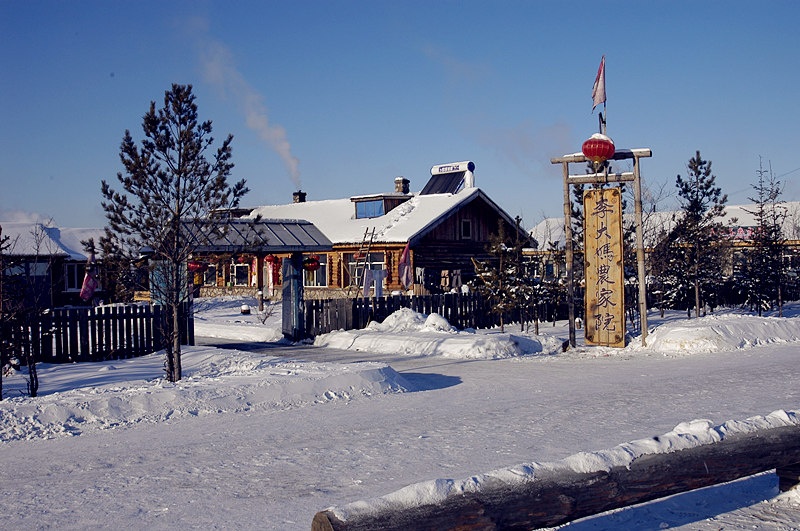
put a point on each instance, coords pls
(171, 180)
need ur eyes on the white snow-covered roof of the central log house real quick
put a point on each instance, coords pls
(336, 217)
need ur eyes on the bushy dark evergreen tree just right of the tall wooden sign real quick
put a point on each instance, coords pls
(691, 257)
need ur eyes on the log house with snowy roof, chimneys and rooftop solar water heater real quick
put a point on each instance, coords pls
(441, 229)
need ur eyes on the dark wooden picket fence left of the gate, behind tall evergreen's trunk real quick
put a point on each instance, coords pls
(66, 335)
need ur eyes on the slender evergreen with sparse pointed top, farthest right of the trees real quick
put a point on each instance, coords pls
(764, 270)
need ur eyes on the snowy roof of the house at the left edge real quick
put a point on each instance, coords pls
(36, 239)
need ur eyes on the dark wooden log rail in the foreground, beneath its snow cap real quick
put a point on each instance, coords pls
(557, 495)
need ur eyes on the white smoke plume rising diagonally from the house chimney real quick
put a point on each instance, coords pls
(220, 70)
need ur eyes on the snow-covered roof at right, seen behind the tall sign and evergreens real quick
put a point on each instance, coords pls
(552, 229)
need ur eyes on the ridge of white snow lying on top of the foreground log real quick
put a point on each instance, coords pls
(684, 436)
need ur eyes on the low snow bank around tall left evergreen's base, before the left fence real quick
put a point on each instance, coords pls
(90, 396)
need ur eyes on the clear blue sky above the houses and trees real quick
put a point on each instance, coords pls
(340, 97)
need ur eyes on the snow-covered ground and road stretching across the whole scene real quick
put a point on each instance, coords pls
(263, 435)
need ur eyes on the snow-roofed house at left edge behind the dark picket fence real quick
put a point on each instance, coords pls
(47, 263)
